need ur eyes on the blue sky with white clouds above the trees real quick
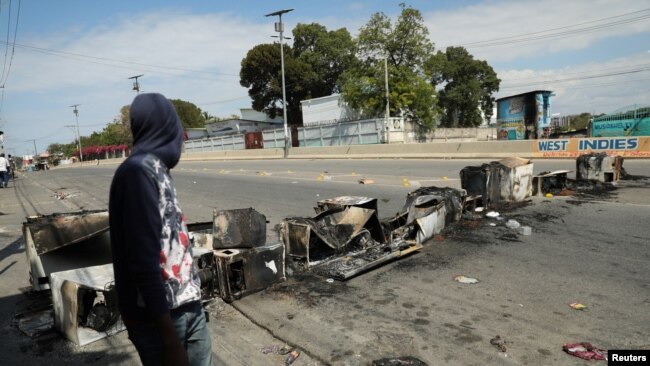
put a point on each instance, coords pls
(594, 54)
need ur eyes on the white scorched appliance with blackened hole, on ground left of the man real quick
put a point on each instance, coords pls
(85, 304)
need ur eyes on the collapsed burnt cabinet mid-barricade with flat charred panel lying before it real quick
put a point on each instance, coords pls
(344, 239)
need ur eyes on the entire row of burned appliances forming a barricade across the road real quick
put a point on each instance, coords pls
(69, 253)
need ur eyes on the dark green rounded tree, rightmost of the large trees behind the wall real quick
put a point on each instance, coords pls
(468, 87)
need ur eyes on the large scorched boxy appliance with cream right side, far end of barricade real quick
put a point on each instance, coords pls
(508, 180)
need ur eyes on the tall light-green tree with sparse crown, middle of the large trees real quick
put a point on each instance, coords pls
(405, 47)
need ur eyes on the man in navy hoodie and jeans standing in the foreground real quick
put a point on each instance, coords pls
(157, 282)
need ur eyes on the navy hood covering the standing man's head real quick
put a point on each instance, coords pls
(156, 128)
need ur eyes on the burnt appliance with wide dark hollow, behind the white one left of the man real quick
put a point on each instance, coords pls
(65, 241)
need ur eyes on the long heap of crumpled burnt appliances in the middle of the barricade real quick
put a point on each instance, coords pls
(346, 237)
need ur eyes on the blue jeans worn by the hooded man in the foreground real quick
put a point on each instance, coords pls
(189, 321)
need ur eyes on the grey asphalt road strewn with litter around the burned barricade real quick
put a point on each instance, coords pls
(590, 248)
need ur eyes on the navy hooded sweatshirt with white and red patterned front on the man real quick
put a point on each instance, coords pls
(152, 256)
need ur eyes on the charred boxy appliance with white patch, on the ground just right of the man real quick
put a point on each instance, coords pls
(243, 271)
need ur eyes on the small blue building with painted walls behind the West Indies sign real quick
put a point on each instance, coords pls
(524, 116)
